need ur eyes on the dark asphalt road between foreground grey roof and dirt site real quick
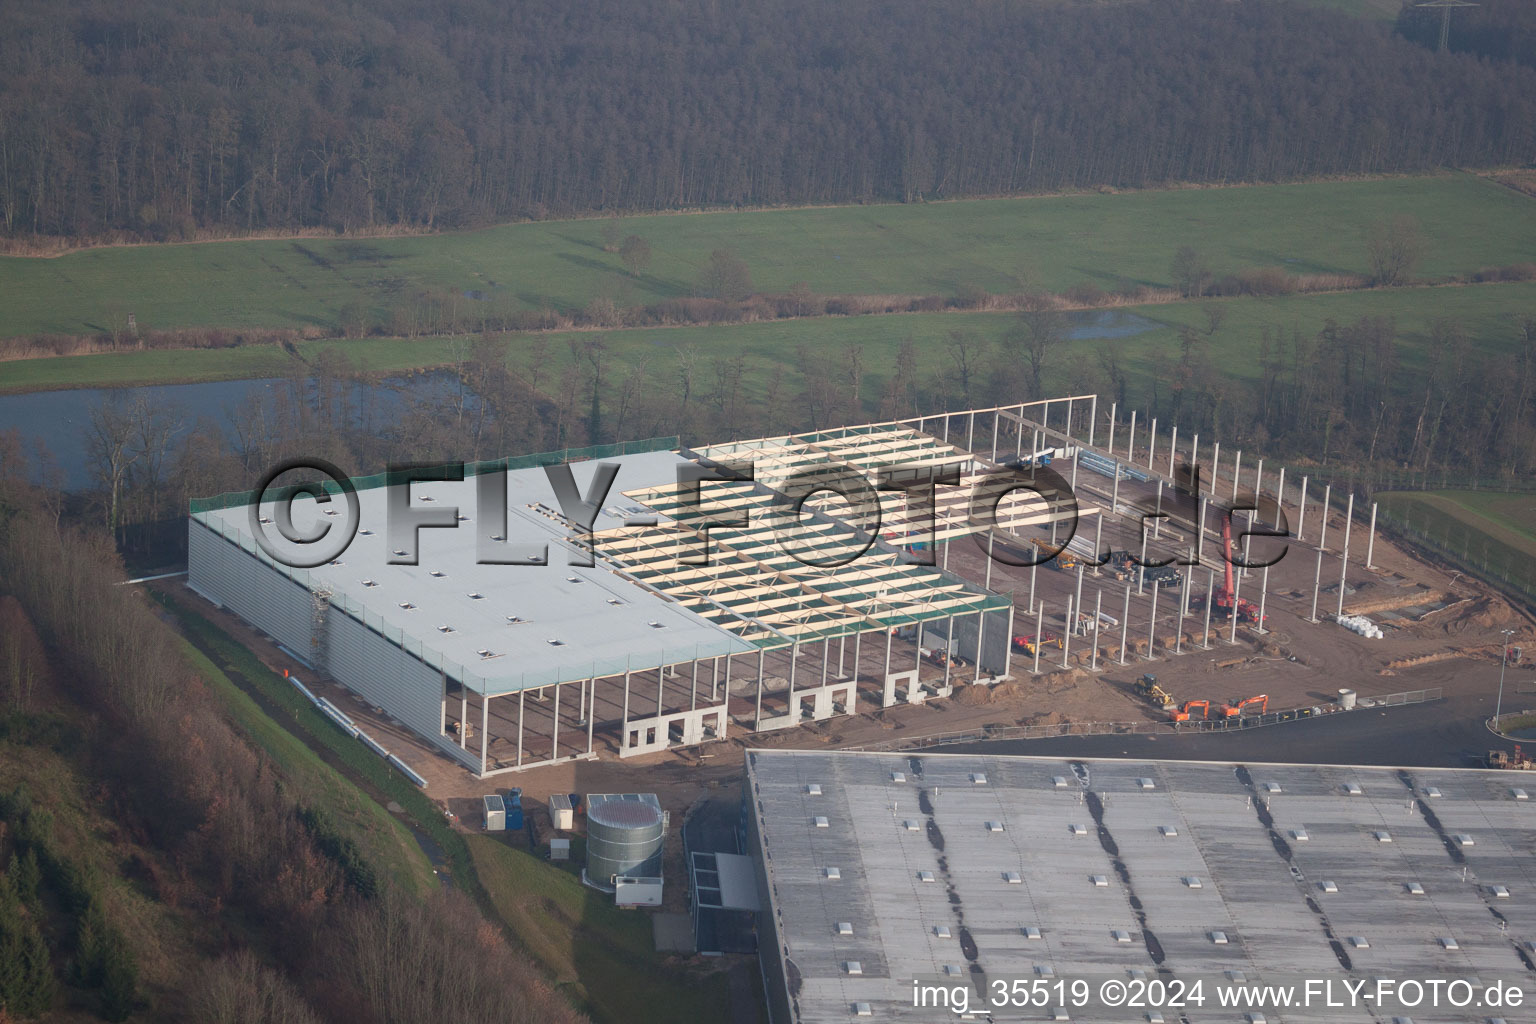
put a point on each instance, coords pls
(1448, 733)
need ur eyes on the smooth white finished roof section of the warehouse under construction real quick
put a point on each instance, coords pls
(604, 623)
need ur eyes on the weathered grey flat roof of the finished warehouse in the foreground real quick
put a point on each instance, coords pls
(981, 868)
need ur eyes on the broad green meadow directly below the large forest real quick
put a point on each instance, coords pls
(938, 248)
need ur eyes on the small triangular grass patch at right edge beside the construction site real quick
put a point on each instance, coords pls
(1489, 530)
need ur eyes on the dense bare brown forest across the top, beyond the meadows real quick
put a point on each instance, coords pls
(171, 119)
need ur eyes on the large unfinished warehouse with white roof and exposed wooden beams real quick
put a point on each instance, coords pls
(804, 578)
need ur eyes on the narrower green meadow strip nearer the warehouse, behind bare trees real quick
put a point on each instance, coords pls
(1491, 312)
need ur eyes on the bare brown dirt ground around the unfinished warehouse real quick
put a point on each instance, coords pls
(1443, 630)
